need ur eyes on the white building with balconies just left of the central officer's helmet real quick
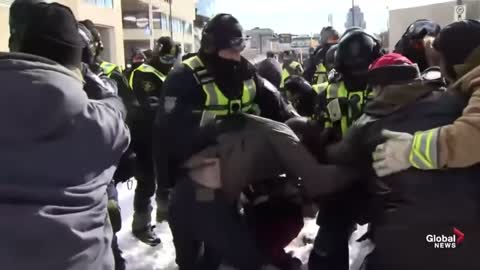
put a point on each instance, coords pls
(170, 18)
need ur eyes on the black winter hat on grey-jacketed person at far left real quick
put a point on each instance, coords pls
(52, 32)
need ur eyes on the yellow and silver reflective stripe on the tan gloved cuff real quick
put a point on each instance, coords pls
(424, 152)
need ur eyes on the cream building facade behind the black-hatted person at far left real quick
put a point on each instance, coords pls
(106, 14)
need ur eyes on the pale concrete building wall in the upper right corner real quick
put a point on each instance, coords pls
(442, 13)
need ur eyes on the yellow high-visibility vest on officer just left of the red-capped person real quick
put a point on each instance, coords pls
(350, 110)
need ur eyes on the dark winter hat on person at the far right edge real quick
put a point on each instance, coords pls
(456, 42)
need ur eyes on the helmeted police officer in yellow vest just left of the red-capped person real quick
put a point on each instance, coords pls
(339, 105)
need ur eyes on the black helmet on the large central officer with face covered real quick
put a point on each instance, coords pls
(222, 32)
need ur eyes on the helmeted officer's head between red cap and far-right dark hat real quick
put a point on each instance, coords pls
(416, 43)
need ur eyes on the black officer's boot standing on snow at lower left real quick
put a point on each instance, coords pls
(143, 230)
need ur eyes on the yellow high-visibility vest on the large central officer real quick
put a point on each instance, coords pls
(217, 104)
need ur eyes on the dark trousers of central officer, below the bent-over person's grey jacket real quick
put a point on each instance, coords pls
(208, 230)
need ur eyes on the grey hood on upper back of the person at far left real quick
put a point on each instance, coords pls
(38, 97)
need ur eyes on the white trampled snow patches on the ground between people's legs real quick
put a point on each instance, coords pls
(140, 256)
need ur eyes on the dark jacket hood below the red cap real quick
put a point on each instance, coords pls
(396, 96)
